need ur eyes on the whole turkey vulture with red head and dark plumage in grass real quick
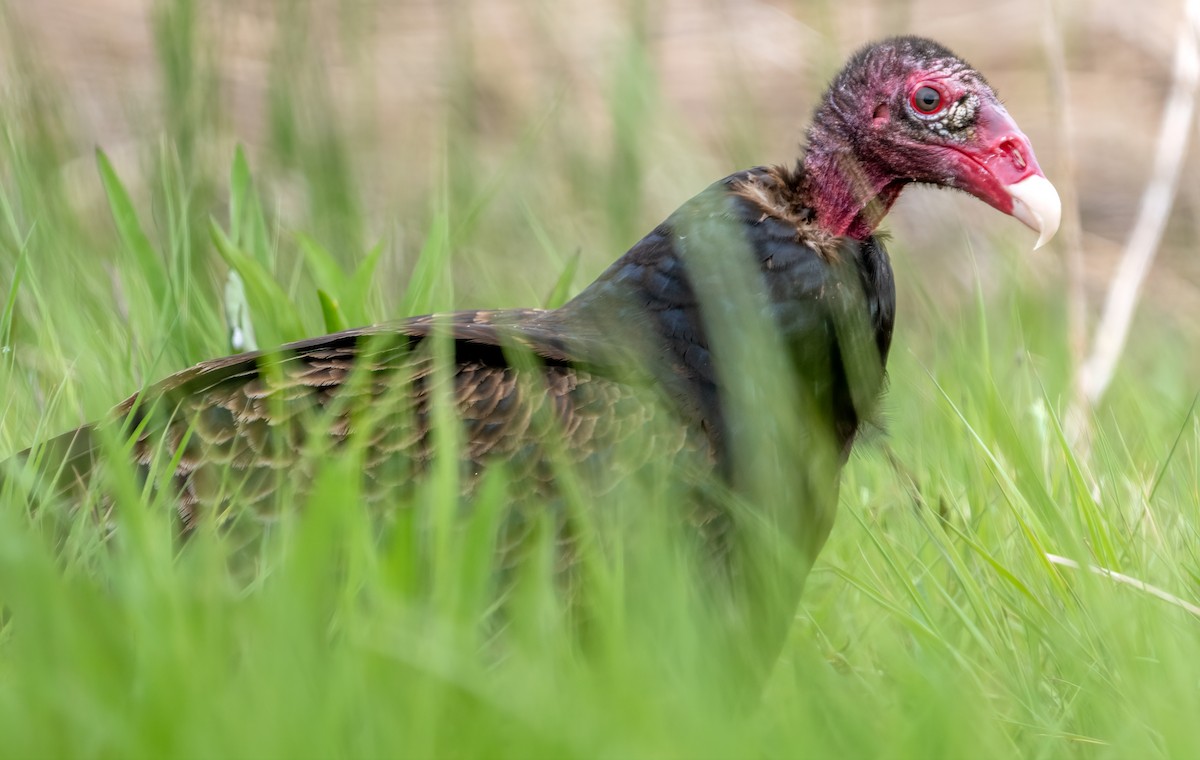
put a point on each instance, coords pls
(633, 362)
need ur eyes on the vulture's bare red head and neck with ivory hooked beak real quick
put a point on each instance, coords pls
(909, 111)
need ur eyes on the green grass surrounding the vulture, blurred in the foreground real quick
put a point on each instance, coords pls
(933, 625)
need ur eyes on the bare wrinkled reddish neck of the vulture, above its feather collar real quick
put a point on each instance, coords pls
(851, 198)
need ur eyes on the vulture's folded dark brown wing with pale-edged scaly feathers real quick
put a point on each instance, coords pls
(237, 430)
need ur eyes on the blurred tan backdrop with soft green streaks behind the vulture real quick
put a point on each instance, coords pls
(555, 128)
